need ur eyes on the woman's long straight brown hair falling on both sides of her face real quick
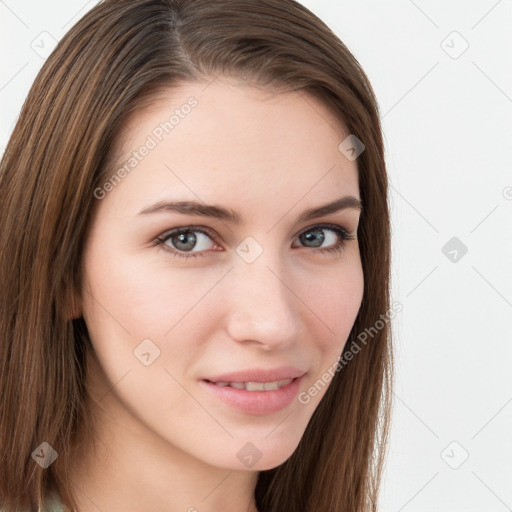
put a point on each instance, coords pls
(112, 62)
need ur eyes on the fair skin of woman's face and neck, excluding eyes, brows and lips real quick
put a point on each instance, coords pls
(161, 442)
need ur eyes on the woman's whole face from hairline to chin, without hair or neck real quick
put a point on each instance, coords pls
(273, 291)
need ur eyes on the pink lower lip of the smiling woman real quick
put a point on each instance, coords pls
(256, 402)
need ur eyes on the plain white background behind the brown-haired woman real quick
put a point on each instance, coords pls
(447, 122)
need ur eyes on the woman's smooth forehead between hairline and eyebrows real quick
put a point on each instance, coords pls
(207, 141)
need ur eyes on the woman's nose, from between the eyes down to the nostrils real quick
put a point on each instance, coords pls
(263, 307)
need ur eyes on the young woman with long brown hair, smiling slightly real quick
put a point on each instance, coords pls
(195, 204)
